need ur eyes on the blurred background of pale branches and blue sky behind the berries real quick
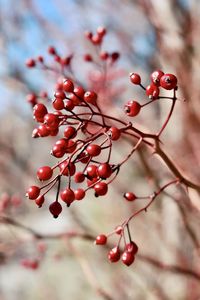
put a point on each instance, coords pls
(149, 35)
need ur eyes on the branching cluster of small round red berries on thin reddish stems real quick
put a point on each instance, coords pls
(86, 137)
